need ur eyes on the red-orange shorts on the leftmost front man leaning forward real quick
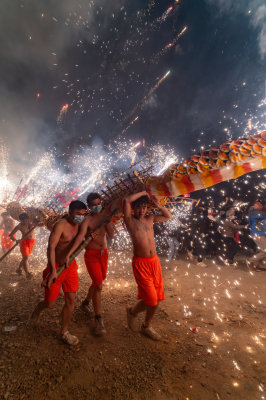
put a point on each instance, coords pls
(68, 279)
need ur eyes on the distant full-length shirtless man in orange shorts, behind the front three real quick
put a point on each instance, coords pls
(26, 245)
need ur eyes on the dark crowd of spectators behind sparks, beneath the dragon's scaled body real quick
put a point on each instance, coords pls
(219, 231)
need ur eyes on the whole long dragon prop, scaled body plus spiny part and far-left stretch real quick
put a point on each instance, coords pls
(228, 161)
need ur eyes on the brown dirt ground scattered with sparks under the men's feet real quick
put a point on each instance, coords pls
(212, 322)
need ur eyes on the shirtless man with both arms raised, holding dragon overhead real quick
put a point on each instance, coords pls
(146, 264)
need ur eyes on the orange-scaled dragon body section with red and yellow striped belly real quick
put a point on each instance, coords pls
(228, 161)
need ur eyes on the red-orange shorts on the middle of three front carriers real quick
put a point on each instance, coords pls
(96, 262)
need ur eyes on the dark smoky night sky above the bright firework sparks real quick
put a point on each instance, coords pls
(102, 57)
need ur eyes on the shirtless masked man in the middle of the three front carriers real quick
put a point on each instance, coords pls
(95, 257)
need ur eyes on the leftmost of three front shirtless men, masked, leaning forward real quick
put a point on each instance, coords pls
(60, 241)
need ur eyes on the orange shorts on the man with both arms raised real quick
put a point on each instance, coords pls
(148, 275)
